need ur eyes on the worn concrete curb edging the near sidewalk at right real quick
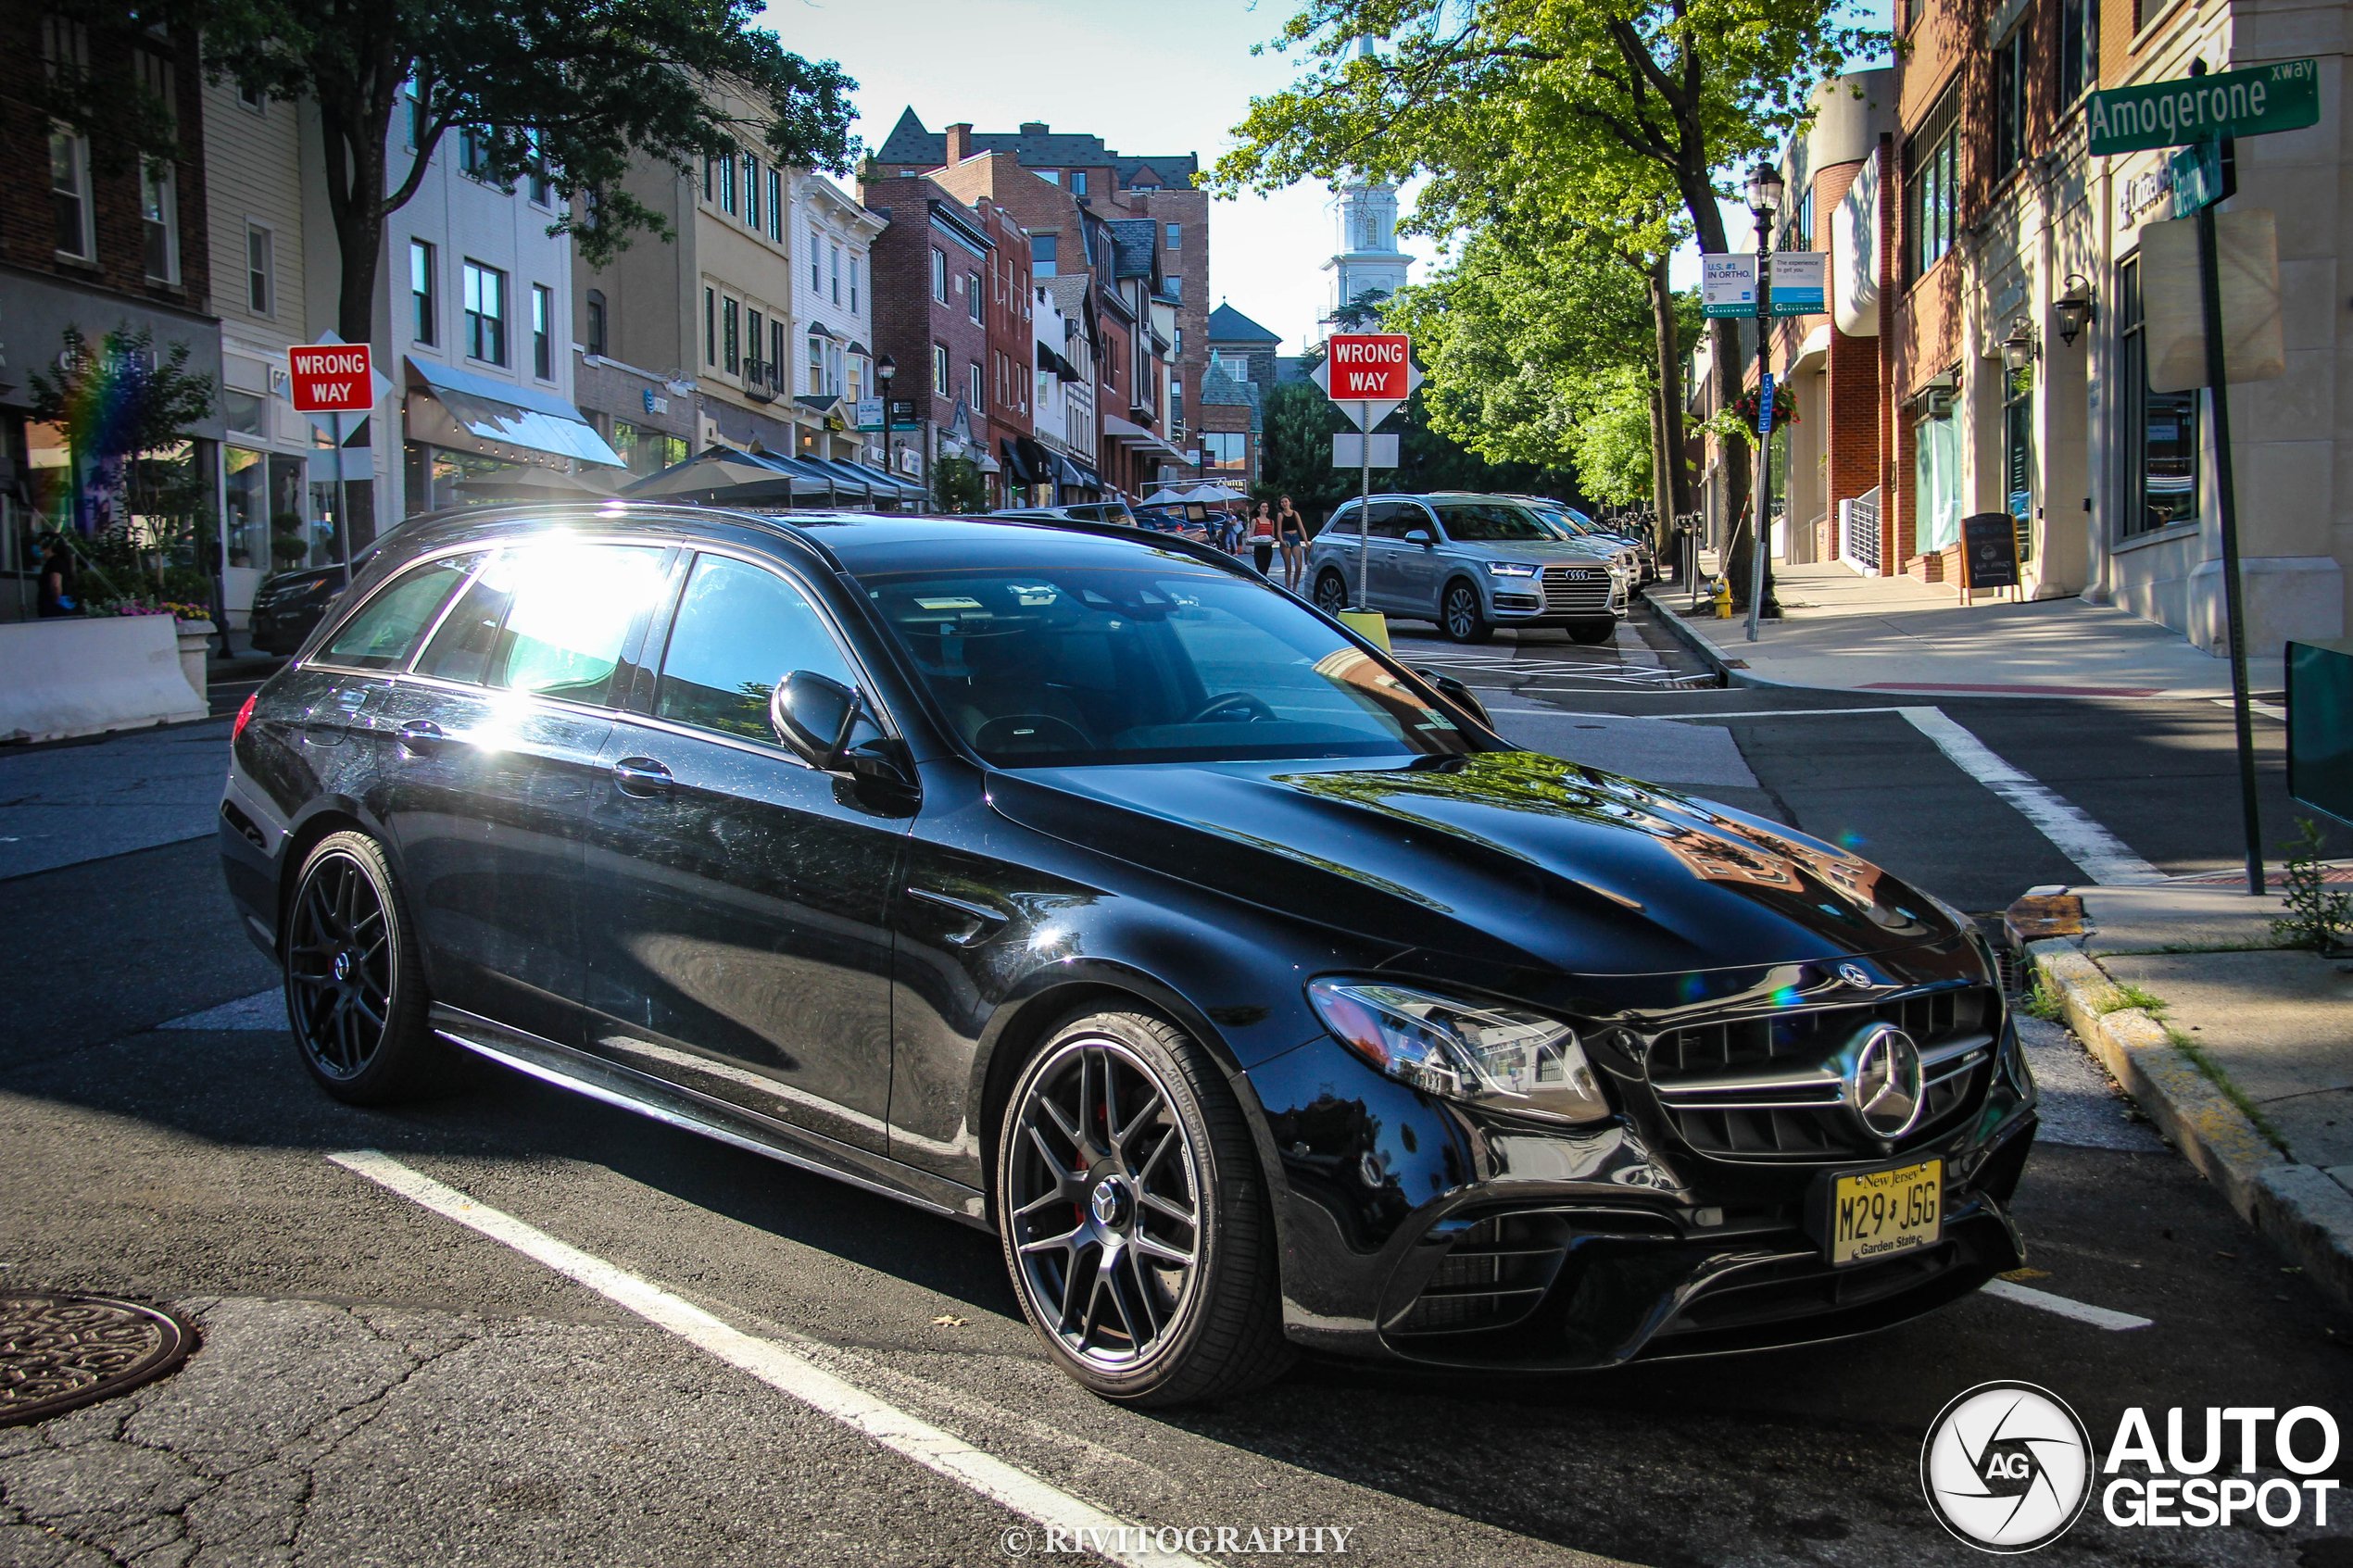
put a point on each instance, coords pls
(2302, 1209)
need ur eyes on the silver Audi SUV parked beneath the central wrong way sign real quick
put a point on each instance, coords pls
(1472, 565)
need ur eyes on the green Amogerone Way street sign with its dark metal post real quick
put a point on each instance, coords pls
(2206, 114)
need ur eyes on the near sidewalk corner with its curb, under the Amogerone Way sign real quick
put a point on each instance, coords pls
(2239, 1050)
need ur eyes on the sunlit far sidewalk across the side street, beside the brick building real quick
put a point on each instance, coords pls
(1855, 634)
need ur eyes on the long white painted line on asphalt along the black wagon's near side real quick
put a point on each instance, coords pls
(778, 1367)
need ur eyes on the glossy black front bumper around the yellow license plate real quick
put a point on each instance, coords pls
(1592, 1247)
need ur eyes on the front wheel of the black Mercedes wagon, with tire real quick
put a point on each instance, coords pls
(1135, 1219)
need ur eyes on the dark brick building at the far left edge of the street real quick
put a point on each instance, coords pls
(95, 239)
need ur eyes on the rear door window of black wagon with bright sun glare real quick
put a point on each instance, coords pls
(547, 619)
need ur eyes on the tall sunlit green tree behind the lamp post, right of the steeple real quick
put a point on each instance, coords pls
(1594, 112)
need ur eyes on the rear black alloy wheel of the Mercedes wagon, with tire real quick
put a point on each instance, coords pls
(354, 996)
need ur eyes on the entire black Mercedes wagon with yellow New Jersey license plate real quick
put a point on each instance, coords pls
(1086, 887)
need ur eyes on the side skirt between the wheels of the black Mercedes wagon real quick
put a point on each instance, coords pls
(693, 1113)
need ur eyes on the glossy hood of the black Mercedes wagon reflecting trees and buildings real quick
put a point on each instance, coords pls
(1502, 857)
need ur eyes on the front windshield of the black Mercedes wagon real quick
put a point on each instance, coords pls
(1164, 662)
